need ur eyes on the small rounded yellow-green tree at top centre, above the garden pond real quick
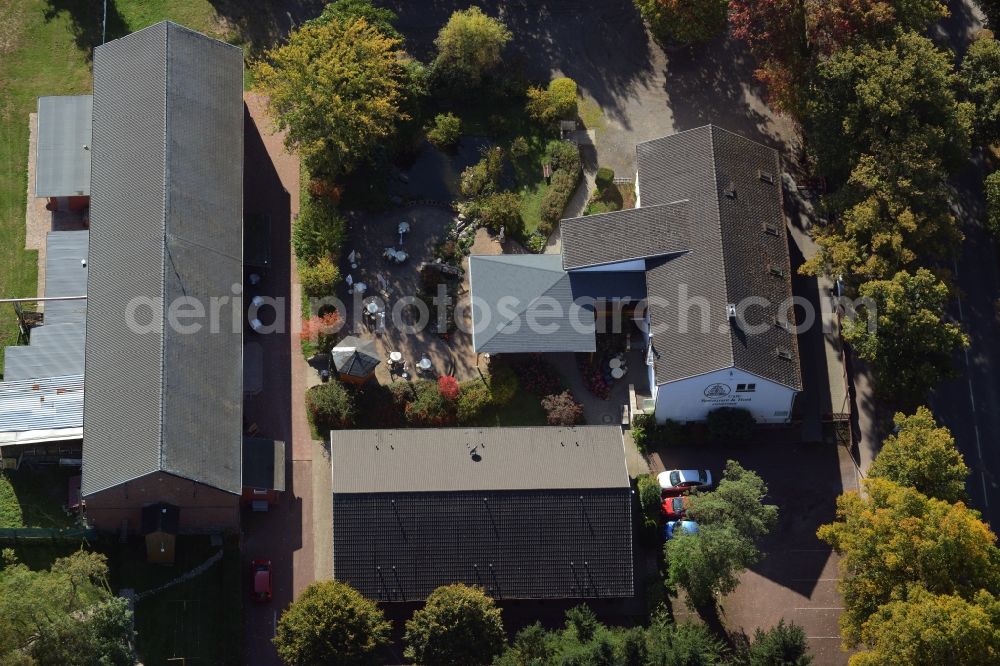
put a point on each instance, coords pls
(470, 45)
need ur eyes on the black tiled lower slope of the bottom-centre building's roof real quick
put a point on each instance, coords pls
(528, 544)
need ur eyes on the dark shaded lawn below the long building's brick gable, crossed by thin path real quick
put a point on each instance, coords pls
(199, 619)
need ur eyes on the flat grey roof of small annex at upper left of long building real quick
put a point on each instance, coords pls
(62, 157)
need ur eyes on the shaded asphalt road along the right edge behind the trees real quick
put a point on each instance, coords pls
(970, 405)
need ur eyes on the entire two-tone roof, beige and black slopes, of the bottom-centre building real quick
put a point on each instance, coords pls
(543, 512)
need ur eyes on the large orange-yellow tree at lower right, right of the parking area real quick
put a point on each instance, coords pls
(894, 538)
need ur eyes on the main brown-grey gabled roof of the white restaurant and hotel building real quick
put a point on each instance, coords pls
(733, 253)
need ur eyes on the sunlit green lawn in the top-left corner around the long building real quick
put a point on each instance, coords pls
(45, 49)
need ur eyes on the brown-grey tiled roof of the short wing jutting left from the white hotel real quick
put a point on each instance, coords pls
(636, 233)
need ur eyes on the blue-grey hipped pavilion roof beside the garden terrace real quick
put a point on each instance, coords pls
(511, 291)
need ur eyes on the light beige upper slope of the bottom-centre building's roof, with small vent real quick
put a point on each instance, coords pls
(455, 459)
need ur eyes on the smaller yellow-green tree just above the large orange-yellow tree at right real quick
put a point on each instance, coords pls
(923, 456)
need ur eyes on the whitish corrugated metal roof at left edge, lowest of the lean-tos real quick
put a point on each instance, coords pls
(46, 409)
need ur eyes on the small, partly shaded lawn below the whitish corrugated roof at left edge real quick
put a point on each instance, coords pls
(35, 498)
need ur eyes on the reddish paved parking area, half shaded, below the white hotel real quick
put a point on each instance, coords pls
(797, 577)
